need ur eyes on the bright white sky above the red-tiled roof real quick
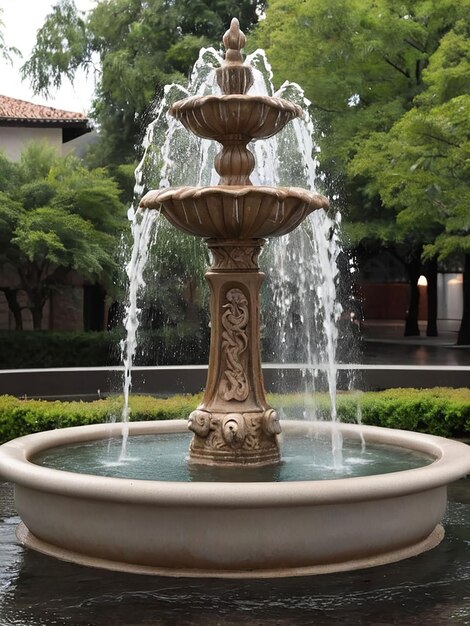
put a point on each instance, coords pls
(22, 19)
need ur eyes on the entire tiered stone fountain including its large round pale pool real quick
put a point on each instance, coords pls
(232, 527)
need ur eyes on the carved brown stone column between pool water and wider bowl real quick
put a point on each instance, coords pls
(234, 424)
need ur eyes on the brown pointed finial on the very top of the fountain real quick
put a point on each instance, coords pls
(234, 77)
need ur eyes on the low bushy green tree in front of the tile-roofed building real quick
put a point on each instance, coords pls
(65, 218)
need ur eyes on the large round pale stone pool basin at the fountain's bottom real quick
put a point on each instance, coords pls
(236, 530)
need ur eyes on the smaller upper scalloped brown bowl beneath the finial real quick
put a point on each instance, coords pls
(235, 116)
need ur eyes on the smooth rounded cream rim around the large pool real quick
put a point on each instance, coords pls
(452, 462)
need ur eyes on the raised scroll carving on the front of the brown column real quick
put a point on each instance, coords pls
(234, 383)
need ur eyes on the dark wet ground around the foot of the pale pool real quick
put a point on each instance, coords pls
(432, 589)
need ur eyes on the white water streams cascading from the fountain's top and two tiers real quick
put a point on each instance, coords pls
(302, 265)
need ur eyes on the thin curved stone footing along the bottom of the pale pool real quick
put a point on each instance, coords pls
(430, 542)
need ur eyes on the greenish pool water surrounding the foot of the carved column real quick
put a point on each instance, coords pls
(163, 457)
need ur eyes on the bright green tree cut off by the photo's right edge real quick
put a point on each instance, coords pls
(420, 166)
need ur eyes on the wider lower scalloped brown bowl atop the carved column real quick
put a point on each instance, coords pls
(234, 212)
